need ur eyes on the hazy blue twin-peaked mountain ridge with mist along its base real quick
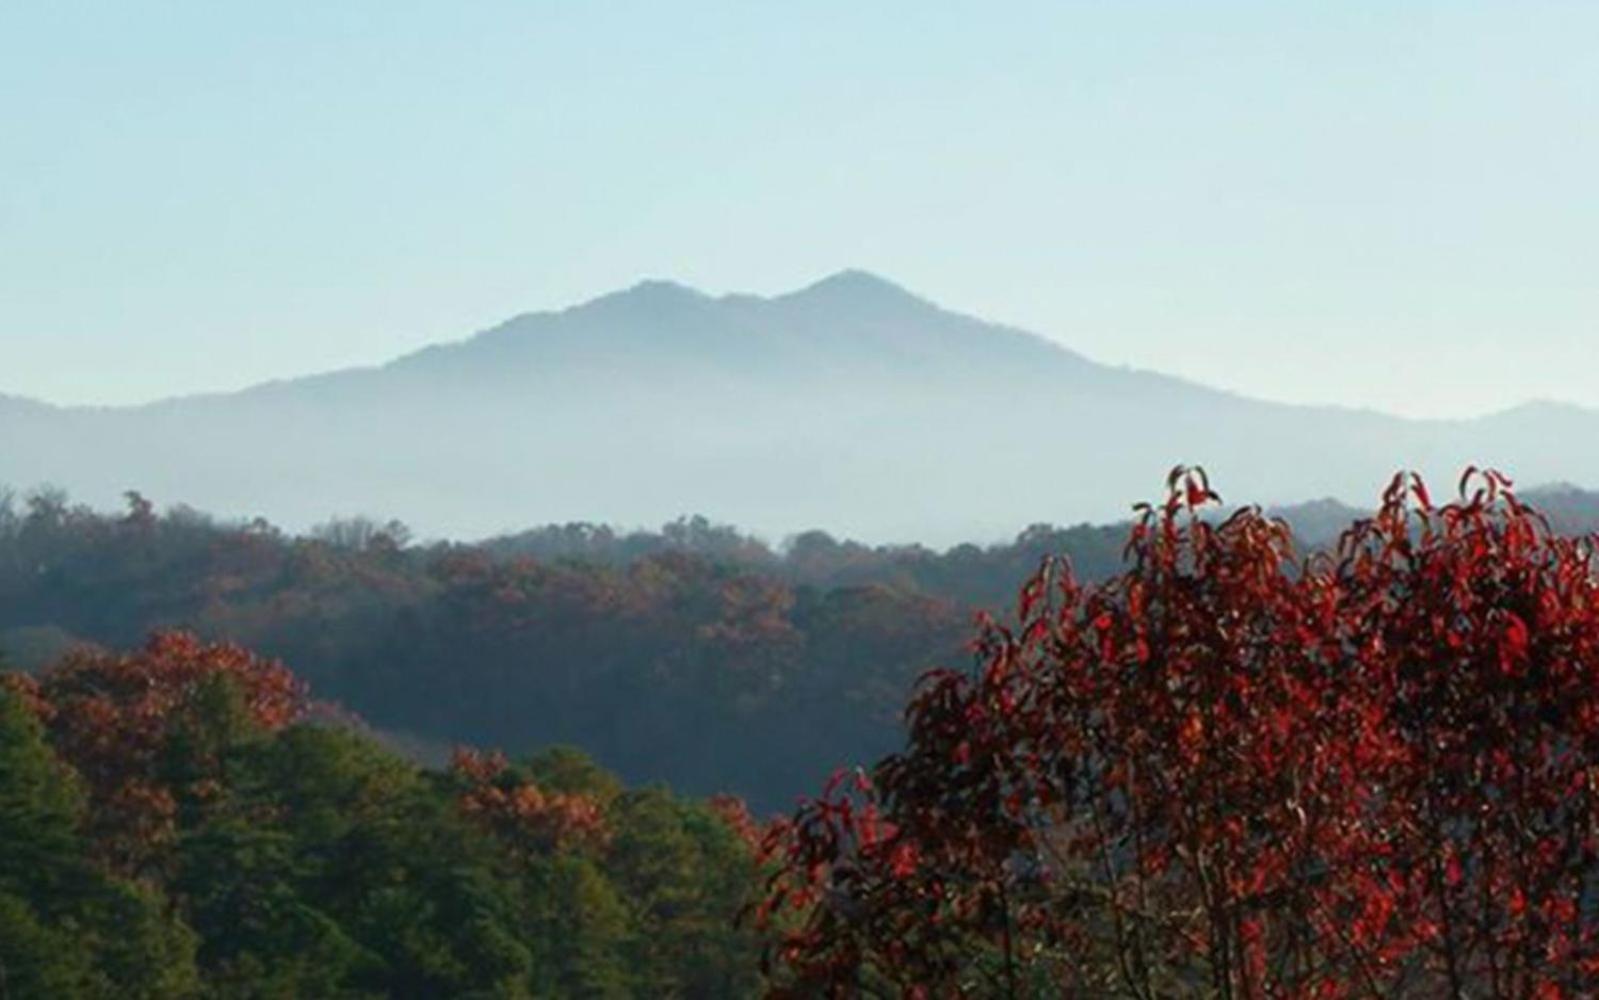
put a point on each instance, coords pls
(851, 406)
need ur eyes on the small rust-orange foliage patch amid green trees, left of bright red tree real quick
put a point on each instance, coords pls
(533, 822)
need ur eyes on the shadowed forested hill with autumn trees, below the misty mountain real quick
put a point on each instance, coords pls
(693, 655)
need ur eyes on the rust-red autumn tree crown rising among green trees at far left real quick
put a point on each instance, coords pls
(111, 718)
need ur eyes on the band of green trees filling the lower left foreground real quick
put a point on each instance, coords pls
(311, 862)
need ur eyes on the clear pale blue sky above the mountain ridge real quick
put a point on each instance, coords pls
(1368, 204)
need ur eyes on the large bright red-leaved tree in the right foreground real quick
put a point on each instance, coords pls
(1237, 772)
